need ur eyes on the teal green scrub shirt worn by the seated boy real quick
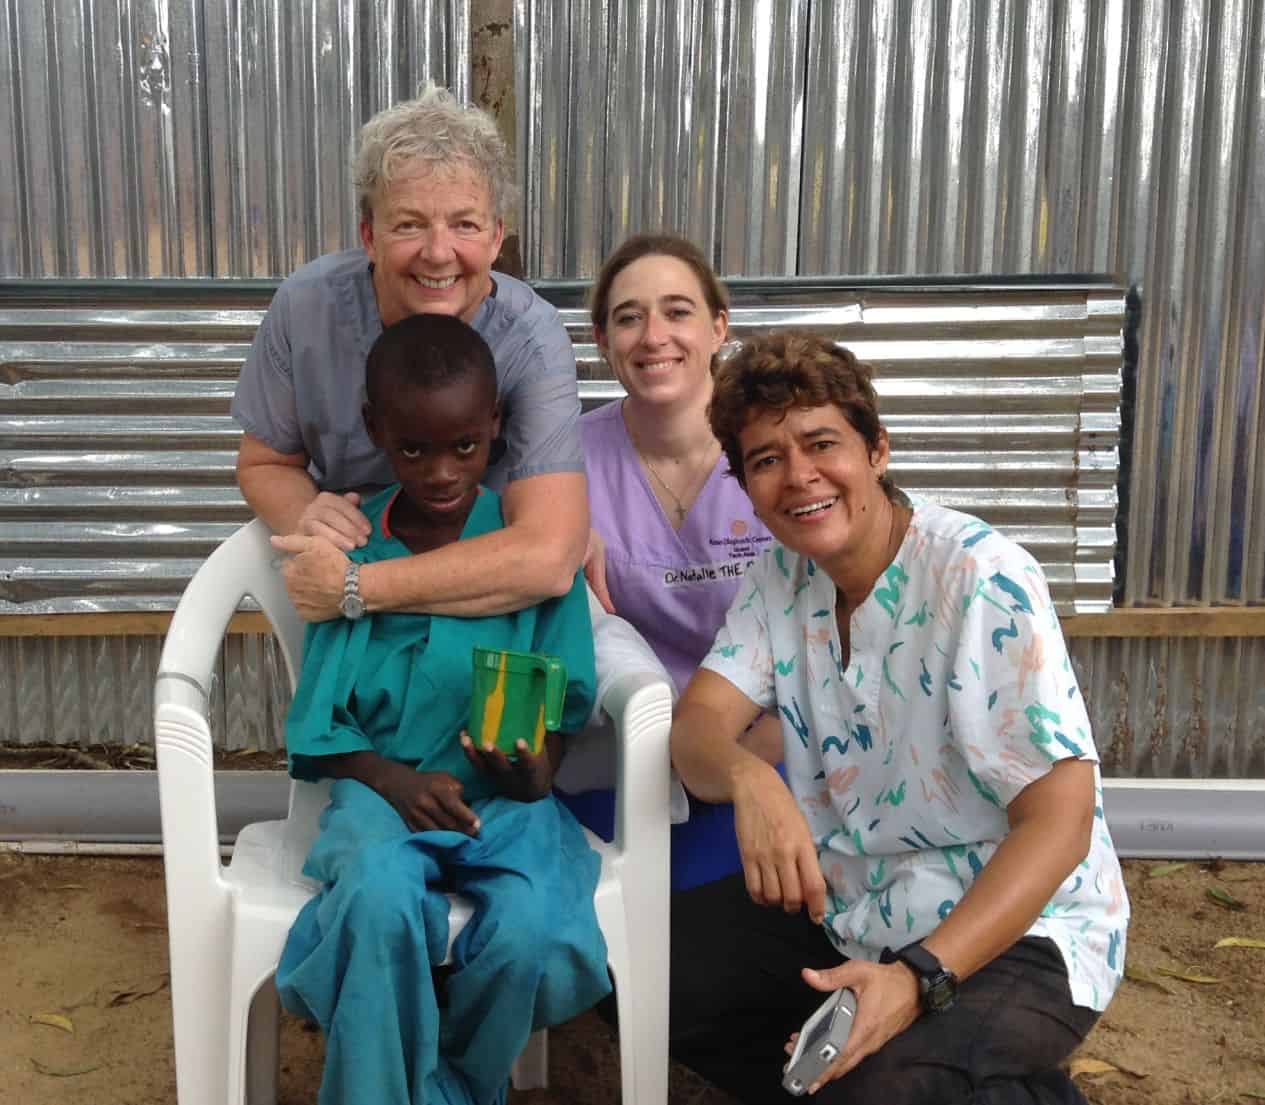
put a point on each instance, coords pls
(400, 685)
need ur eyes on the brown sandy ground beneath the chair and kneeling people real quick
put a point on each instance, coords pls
(85, 1016)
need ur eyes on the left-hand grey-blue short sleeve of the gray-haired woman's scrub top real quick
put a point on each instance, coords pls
(265, 404)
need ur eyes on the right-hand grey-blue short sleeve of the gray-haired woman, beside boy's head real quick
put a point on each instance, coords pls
(542, 404)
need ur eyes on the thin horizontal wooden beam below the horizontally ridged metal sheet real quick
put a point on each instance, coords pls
(1133, 623)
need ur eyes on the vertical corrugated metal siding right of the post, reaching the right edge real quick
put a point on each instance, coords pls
(877, 137)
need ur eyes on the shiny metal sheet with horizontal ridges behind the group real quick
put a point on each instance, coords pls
(117, 448)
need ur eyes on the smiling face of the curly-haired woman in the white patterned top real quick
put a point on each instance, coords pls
(814, 482)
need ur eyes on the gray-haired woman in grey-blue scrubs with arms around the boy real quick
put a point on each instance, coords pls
(435, 183)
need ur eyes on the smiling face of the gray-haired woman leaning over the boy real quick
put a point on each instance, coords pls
(433, 240)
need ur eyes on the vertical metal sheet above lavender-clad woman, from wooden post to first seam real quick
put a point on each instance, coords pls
(661, 114)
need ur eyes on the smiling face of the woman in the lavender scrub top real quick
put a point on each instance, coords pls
(660, 334)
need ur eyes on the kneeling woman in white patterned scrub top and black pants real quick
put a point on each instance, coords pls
(939, 844)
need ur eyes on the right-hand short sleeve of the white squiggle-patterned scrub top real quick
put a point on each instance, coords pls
(1020, 709)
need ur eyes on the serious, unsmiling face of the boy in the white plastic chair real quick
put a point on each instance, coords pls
(438, 442)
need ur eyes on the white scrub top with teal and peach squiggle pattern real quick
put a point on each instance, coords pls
(958, 693)
